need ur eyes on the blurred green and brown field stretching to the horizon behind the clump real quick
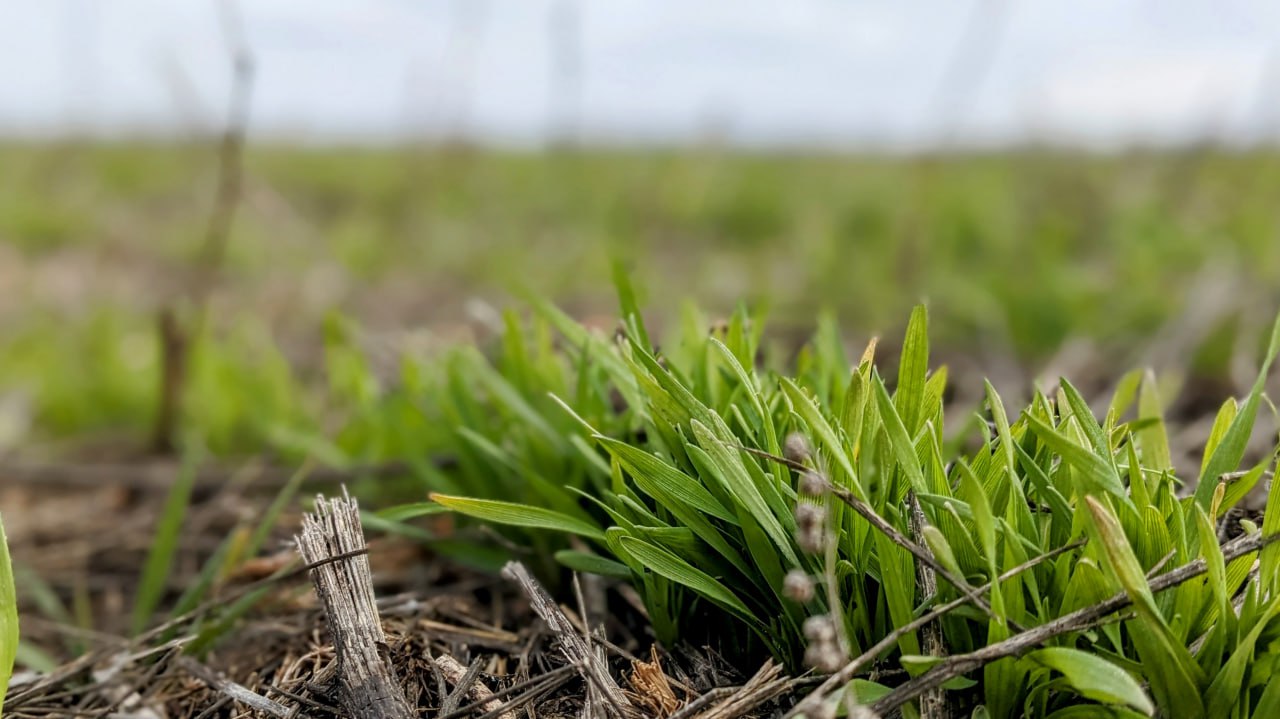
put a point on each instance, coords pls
(1022, 255)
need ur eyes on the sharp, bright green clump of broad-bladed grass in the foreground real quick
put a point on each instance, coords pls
(692, 494)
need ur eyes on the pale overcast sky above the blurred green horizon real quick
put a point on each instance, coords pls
(825, 74)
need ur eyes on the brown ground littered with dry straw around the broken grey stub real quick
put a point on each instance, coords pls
(281, 651)
